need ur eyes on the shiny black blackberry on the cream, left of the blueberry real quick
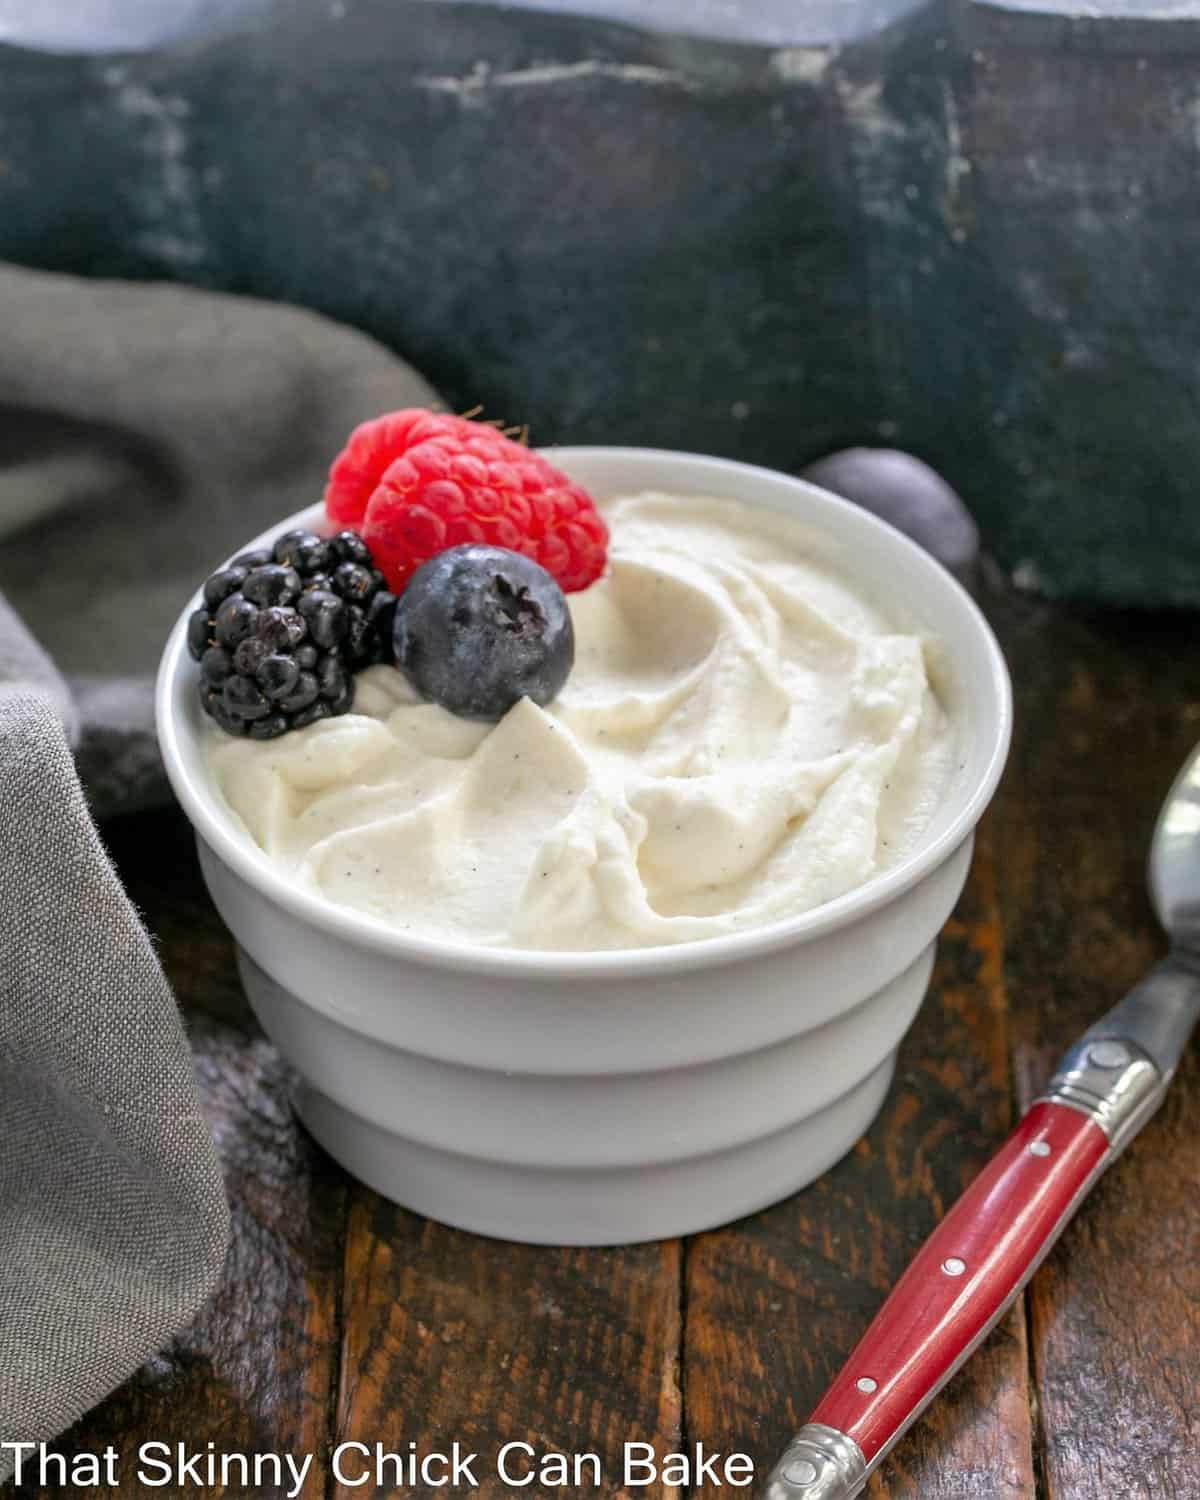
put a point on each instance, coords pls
(284, 629)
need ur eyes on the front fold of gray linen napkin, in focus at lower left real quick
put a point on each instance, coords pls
(113, 1220)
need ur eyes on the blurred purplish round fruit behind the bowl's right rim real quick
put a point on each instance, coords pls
(907, 493)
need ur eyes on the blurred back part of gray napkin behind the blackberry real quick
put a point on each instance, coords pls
(146, 433)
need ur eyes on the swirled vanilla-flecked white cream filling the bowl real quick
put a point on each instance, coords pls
(743, 737)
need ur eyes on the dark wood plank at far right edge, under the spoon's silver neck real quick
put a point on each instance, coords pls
(1108, 710)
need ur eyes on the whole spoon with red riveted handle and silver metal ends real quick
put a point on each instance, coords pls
(971, 1270)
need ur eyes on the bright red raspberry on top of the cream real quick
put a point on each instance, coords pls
(418, 482)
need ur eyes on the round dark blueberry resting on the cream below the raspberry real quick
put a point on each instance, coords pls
(479, 628)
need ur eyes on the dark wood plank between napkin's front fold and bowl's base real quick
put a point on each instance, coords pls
(257, 1372)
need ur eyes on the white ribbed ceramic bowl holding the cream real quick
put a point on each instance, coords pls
(613, 1097)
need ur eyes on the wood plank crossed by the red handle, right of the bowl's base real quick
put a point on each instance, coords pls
(776, 1303)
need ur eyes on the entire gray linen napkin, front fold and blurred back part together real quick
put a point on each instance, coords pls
(145, 433)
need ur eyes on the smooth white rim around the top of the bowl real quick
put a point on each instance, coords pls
(362, 931)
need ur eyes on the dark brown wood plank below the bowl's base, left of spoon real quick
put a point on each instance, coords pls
(449, 1336)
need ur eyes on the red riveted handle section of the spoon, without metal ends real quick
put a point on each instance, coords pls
(965, 1276)
